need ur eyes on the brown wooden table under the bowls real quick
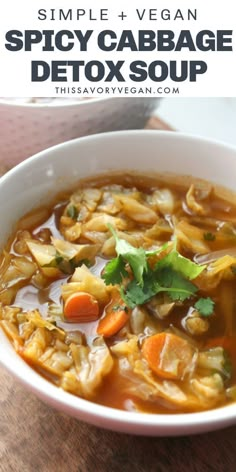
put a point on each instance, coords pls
(36, 438)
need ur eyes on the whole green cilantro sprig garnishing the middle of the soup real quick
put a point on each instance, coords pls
(140, 282)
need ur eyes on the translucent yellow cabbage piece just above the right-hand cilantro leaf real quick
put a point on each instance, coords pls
(190, 237)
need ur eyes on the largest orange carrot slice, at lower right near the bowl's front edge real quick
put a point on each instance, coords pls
(167, 355)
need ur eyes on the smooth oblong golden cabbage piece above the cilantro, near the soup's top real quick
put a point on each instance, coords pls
(136, 211)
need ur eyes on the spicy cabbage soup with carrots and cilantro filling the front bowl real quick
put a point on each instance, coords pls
(123, 293)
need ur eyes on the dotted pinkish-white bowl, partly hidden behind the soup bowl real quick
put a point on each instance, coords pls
(27, 128)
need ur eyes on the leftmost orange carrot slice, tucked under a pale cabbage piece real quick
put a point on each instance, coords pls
(81, 307)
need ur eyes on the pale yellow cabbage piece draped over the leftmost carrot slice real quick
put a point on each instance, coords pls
(84, 281)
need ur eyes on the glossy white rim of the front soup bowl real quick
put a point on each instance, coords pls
(115, 419)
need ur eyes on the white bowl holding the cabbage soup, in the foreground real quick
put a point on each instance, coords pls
(38, 178)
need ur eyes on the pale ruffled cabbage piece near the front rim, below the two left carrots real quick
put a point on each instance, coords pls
(92, 365)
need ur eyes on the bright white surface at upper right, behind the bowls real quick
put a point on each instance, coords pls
(210, 117)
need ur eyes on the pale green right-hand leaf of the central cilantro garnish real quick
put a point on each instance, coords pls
(181, 264)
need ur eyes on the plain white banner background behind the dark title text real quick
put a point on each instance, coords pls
(15, 77)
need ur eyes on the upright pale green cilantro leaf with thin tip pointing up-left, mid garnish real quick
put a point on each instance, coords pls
(136, 257)
